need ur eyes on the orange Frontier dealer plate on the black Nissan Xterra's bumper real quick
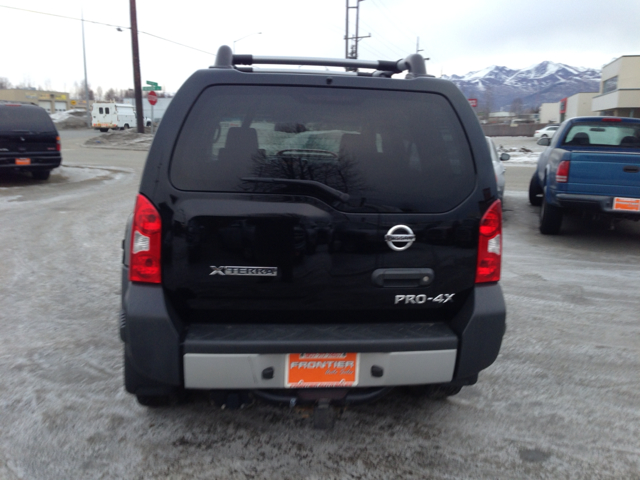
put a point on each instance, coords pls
(314, 370)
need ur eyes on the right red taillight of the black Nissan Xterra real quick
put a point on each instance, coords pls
(490, 245)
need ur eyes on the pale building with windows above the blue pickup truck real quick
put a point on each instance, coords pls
(619, 94)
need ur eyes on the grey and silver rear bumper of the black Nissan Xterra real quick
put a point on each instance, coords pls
(227, 356)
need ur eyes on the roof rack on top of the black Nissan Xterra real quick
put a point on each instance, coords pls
(414, 63)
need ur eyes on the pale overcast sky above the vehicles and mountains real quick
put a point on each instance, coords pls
(459, 36)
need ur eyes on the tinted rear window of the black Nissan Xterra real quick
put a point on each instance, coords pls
(390, 151)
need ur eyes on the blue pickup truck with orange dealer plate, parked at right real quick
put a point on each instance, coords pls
(591, 165)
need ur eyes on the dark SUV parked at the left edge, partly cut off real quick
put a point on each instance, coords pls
(29, 140)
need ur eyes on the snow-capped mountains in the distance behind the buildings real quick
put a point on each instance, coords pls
(544, 82)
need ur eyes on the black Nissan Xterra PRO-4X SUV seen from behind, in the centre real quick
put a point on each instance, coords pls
(316, 236)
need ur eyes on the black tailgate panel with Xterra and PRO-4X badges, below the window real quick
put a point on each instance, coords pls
(247, 259)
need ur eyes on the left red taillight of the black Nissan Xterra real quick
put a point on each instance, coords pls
(144, 264)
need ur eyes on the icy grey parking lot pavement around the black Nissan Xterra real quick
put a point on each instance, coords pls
(561, 401)
